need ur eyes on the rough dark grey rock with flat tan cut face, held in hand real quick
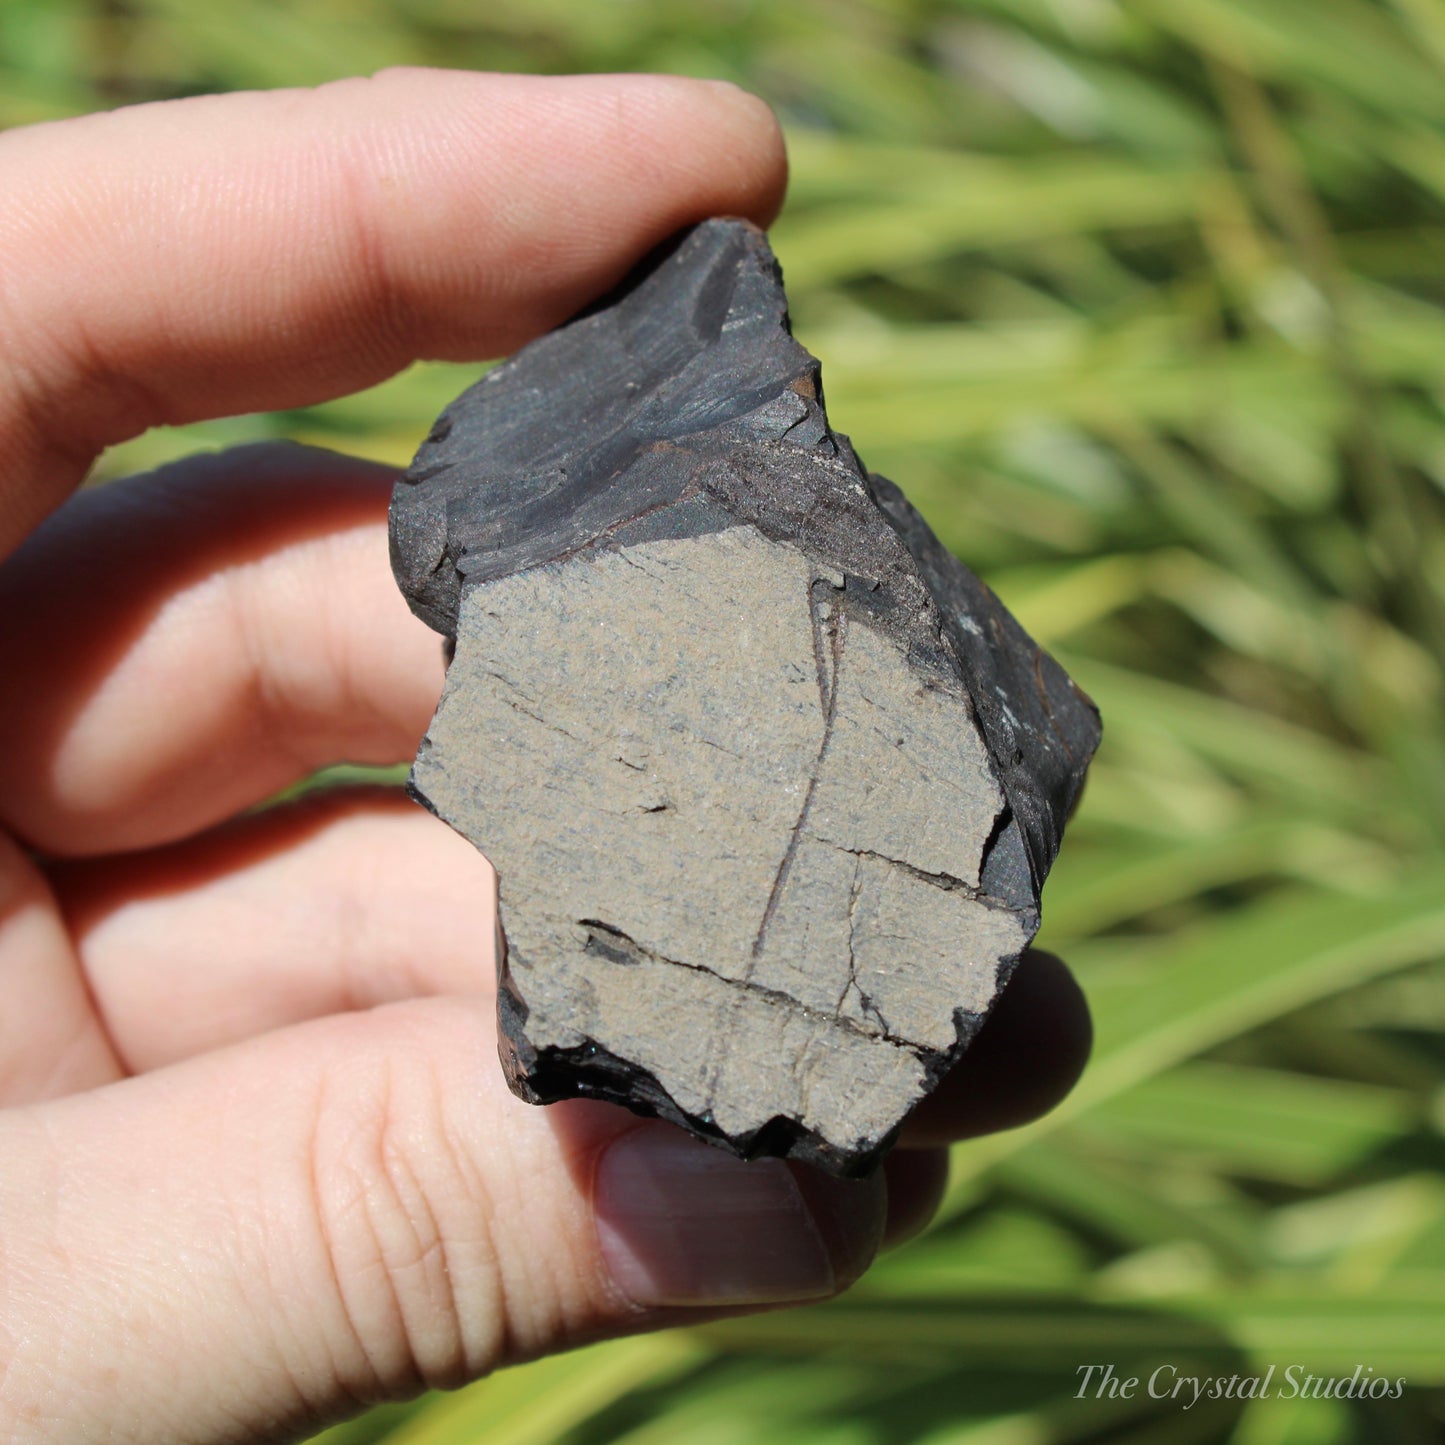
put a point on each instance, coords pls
(771, 781)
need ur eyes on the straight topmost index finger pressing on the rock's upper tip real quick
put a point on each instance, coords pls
(249, 252)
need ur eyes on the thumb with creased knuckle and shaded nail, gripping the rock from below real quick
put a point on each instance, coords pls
(267, 1238)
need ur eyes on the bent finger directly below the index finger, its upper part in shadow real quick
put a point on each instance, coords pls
(197, 641)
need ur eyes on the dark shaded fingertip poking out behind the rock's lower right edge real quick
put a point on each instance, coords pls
(1025, 1060)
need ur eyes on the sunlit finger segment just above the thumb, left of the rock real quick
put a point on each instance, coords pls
(336, 904)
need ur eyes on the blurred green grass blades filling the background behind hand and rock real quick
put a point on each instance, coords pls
(1142, 303)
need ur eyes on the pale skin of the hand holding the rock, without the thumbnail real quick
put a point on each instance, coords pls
(258, 1164)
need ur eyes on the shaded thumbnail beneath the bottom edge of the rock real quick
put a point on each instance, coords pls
(683, 1223)
